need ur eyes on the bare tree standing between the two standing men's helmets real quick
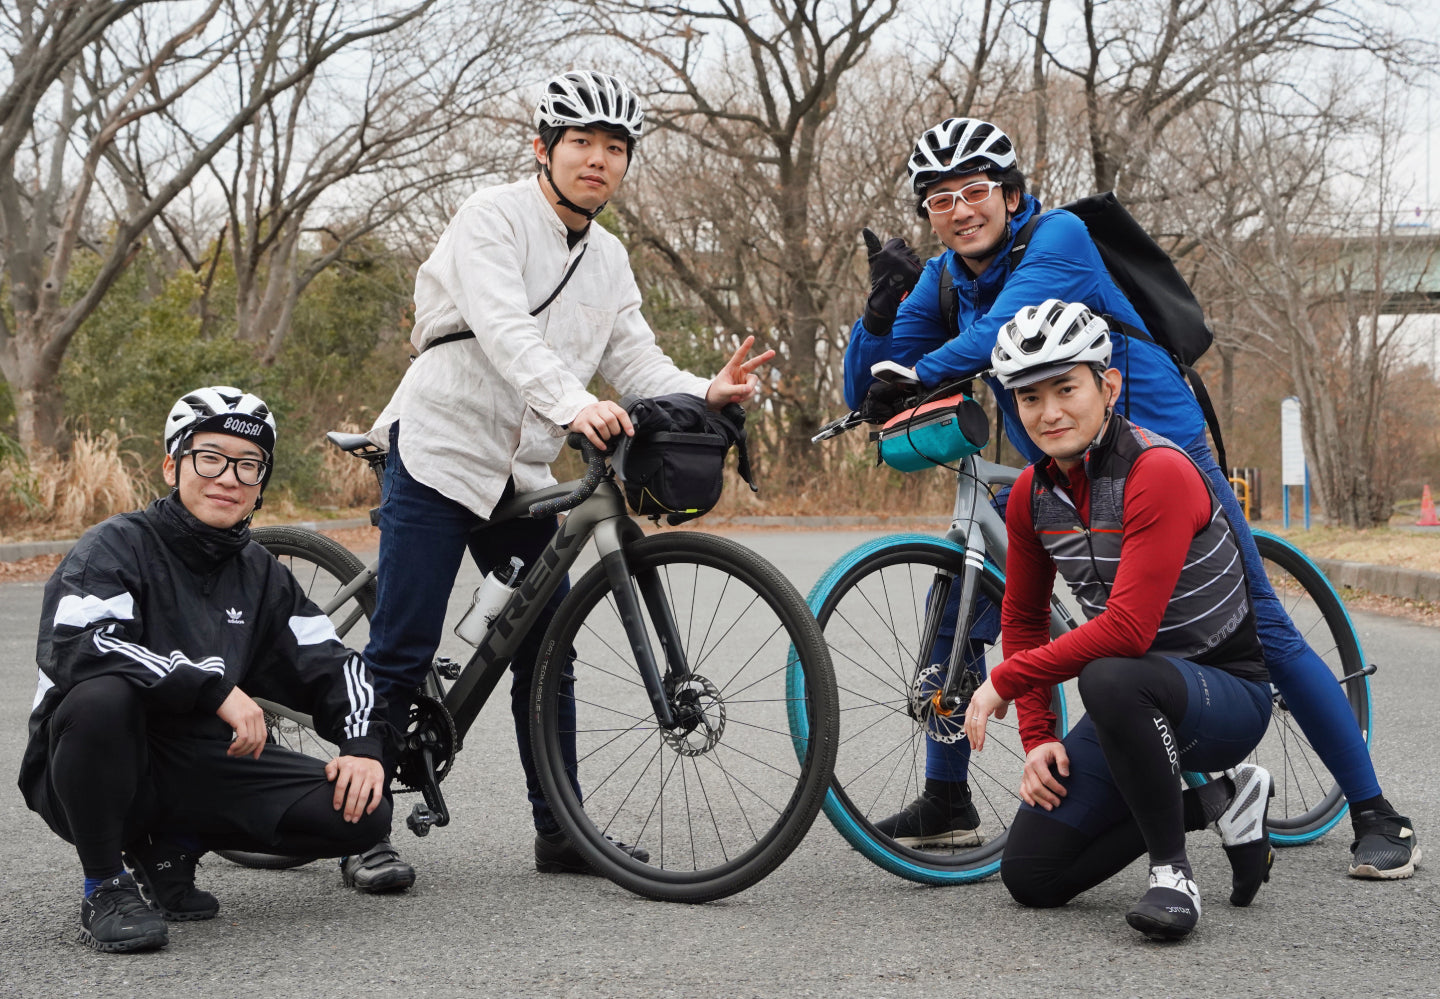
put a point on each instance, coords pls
(747, 96)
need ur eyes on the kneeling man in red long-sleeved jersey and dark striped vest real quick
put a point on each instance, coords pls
(1170, 667)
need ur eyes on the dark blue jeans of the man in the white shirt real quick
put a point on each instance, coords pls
(424, 536)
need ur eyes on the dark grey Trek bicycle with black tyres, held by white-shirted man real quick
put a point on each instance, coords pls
(683, 660)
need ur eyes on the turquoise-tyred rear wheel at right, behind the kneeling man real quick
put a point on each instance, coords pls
(1308, 803)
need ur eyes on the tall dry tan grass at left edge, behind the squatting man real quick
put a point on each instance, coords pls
(55, 497)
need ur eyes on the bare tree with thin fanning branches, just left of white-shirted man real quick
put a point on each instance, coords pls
(359, 146)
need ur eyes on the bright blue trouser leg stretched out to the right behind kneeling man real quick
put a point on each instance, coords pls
(1301, 676)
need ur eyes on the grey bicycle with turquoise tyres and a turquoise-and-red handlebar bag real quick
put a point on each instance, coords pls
(889, 611)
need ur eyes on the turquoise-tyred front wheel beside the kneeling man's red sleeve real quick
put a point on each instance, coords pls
(873, 610)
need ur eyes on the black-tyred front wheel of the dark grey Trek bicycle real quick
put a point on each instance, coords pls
(722, 800)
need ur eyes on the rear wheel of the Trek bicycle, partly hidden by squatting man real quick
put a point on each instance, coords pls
(322, 566)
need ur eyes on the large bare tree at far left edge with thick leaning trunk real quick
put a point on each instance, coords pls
(91, 78)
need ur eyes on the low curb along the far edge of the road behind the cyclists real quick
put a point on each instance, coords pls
(1387, 581)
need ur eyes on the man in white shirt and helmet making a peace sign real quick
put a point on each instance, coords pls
(519, 307)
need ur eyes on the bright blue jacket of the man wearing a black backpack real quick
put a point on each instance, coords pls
(1062, 263)
